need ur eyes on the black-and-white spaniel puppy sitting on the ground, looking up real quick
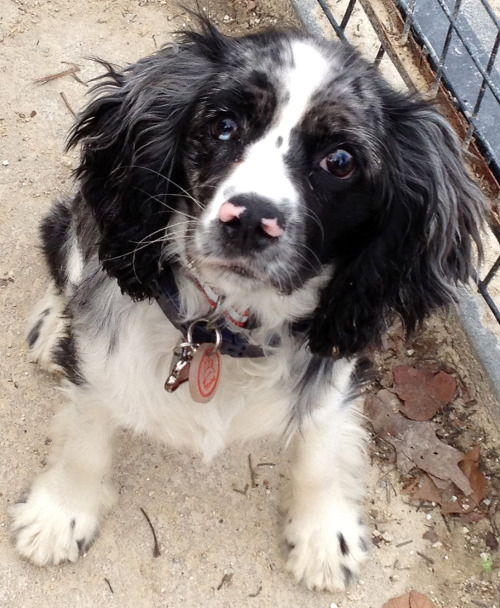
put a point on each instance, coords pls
(272, 204)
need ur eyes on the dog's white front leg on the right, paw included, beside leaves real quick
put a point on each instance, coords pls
(324, 526)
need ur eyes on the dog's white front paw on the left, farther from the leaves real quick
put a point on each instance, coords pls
(48, 530)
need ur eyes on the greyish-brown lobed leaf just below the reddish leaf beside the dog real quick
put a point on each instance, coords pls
(415, 442)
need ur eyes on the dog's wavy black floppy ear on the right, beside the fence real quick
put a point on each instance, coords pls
(423, 244)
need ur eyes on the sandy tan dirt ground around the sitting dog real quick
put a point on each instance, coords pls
(218, 535)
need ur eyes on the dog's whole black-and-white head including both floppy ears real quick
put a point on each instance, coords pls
(268, 160)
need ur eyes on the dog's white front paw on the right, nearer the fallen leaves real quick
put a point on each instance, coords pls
(326, 547)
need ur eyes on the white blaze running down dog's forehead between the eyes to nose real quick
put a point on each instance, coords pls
(263, 170)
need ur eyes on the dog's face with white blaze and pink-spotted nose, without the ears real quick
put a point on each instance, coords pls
(282, 156)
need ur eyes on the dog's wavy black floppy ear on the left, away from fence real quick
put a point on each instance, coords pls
(129, 173)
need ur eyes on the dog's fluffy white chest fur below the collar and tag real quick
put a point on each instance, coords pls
(252, 399)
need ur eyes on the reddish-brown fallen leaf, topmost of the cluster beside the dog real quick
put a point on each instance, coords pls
(423, 391)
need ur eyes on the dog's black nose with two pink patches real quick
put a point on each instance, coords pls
(251, 222)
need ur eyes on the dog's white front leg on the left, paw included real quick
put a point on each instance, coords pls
(59, 518)
